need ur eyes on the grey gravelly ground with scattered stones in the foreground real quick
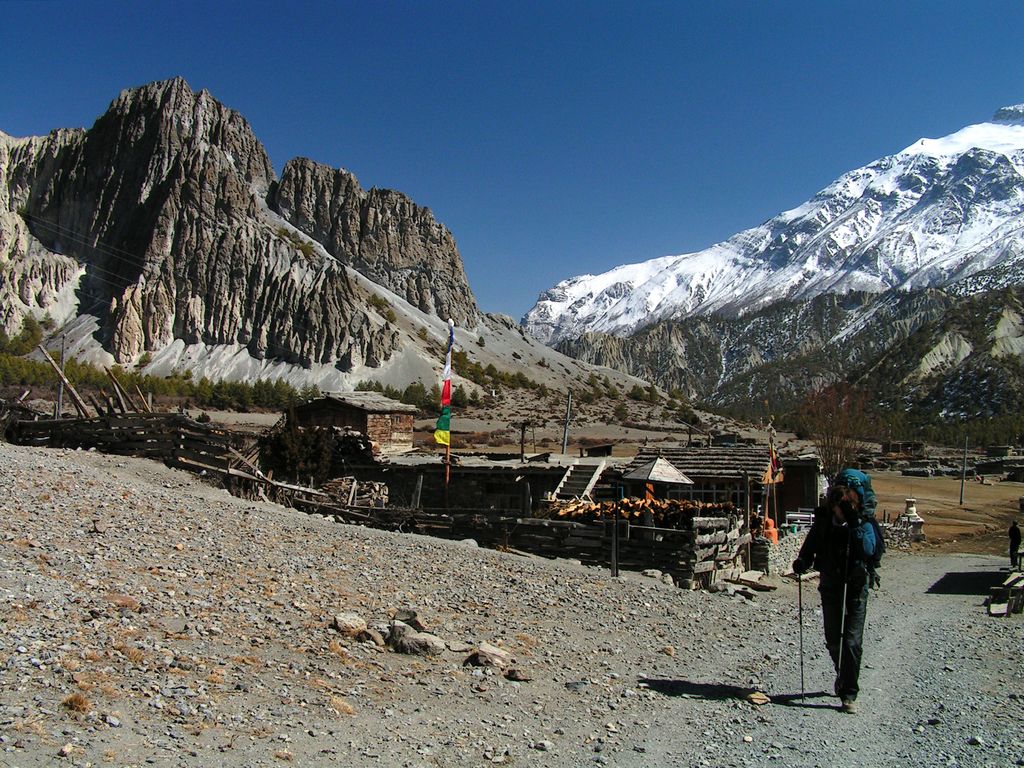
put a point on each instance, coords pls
(149, 619)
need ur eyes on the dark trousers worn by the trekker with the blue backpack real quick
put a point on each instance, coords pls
(852, 629)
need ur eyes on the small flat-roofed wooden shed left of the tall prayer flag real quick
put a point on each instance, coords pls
(387, 422)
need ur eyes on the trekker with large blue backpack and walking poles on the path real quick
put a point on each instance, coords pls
(843, 545)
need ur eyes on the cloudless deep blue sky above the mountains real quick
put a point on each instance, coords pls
(552, 139)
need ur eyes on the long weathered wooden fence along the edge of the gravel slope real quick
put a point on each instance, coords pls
(698, 550)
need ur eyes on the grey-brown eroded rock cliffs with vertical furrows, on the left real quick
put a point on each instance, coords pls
(167, 204)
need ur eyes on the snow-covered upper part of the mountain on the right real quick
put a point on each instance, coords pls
(944, 212)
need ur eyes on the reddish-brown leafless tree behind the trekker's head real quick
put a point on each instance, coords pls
(834, 418)
